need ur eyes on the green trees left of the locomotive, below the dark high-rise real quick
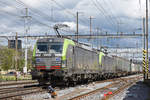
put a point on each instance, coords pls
(7, 59)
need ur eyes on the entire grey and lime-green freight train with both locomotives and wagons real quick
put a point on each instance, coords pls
(64, 61)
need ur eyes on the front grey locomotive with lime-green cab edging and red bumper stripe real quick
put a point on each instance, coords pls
(60, 60)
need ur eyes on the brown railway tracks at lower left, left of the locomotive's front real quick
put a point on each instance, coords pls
(14, 90)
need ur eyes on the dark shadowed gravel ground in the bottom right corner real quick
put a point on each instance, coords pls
(138, 91)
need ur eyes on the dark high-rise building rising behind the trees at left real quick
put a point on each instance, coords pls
(12, 44)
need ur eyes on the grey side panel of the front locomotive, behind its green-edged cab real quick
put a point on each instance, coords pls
(85, 60)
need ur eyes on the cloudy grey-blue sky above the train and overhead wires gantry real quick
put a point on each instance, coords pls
(108, 15)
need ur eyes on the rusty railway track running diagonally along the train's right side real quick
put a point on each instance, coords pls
(114, 87)
